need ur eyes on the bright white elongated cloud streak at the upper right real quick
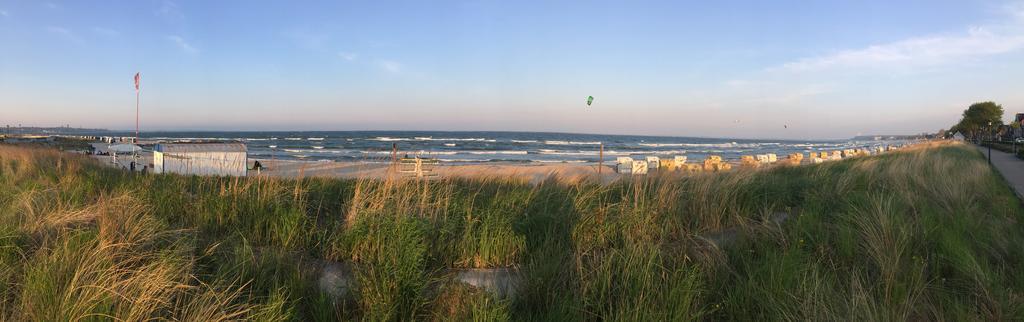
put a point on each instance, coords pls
(978, 42)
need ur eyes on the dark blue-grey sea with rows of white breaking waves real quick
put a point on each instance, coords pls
(480, 147)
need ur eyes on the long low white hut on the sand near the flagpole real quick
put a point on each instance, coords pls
(201, 159)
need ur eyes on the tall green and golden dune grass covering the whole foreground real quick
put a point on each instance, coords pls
(925, 234)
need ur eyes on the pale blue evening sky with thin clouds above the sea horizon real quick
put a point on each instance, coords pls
(723, 69)
